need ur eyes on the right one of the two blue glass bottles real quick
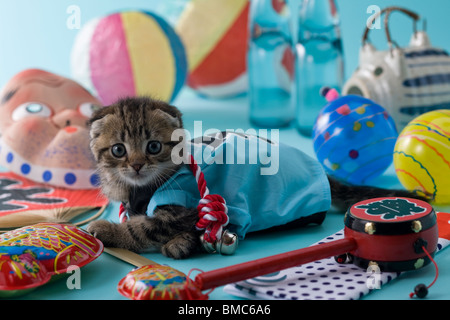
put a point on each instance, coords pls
(320, 59)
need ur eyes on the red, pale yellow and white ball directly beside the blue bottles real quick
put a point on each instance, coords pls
(214, 33)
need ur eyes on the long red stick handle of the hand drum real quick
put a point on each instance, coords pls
(250, 269)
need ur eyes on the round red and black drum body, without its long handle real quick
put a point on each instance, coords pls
(393, 233)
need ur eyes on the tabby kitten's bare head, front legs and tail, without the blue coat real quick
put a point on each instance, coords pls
(131, 141)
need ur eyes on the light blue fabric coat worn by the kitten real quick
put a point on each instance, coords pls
(264, 184)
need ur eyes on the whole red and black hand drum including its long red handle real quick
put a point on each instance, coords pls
(389, 232)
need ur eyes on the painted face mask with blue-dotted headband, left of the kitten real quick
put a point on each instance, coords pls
(44, 133)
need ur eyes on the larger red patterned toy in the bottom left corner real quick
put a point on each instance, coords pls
(31, 256)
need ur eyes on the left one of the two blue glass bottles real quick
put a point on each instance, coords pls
(271, 63)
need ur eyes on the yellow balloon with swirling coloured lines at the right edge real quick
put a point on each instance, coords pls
(422, 156)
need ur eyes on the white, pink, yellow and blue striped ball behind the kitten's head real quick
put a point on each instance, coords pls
(129, 54)
